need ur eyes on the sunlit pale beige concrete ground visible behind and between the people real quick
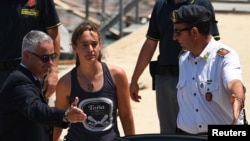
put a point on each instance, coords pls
(234, 31)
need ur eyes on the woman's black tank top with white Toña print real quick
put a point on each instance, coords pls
(100, 107)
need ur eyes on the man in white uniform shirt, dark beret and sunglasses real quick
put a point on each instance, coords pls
(210, 86)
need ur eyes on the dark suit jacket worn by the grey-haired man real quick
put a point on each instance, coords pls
(24, 112)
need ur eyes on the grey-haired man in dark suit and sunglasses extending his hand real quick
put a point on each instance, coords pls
(24, 112)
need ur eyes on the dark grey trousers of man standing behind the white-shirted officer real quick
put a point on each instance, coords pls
(166, 102)
